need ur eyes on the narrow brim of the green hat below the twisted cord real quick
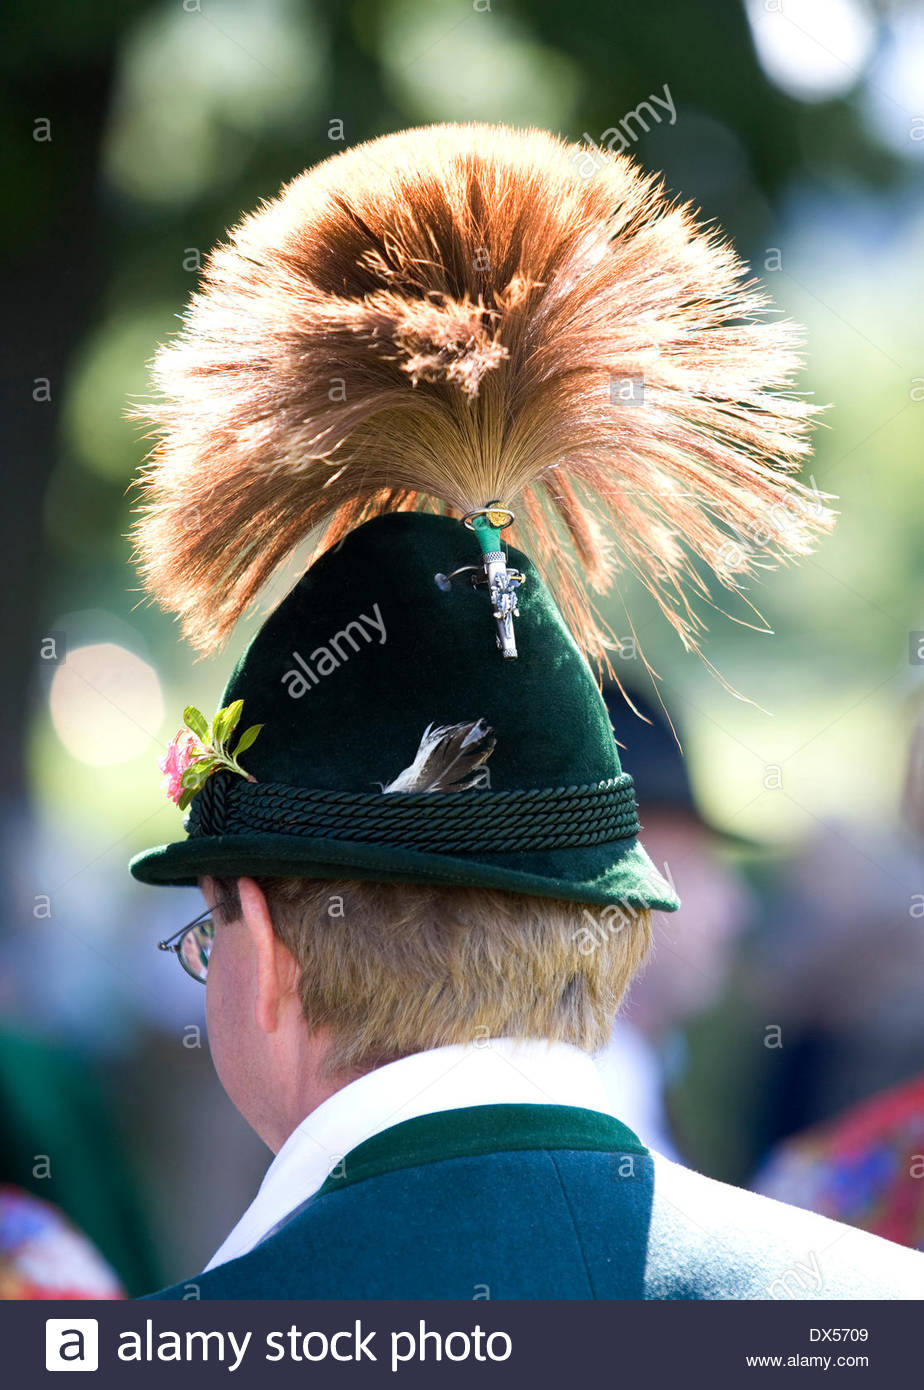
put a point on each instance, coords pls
(619, 872)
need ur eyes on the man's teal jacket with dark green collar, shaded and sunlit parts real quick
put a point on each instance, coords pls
(548, 1202)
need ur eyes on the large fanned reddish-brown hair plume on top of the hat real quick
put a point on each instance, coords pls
(458, 315)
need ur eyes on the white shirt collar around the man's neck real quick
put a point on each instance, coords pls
(495, 1072)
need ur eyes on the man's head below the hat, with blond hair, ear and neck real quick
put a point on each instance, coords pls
(312, 985)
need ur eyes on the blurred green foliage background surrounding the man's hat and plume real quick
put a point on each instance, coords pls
(134, 137)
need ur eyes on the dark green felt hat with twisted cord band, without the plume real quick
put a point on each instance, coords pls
(370, 653)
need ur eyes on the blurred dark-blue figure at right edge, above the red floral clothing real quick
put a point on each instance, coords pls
(839, 970)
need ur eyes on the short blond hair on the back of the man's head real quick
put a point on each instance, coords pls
(391, 970)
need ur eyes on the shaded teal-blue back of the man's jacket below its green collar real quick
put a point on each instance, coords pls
(436, 1231)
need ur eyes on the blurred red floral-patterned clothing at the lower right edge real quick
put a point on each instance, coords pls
(866, 1168)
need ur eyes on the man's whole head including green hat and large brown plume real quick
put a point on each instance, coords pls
(488, 298)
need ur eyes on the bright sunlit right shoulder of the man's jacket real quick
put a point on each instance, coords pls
(711, 1241)
